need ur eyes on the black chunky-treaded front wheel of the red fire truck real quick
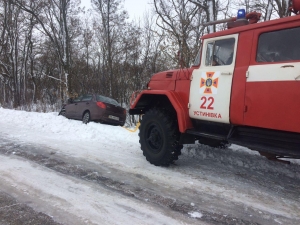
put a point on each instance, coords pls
(159, 137)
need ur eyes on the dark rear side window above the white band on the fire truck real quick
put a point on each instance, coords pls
(277, 46)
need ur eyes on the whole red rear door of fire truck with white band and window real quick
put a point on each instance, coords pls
(273, 80)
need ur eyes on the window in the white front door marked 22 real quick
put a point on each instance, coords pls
(220, 52)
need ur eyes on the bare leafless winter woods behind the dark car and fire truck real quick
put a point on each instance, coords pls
(51, 50)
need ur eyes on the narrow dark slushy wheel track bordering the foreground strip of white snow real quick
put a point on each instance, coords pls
(145, 195)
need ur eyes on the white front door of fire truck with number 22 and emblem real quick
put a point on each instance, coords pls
(211, 83)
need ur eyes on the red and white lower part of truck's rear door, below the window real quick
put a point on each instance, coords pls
(272, 96)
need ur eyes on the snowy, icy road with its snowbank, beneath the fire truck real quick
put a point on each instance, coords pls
(97, 174)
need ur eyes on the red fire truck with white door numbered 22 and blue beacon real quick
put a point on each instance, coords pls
(244, 88)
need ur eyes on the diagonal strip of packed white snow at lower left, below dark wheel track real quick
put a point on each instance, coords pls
(79, 197)
